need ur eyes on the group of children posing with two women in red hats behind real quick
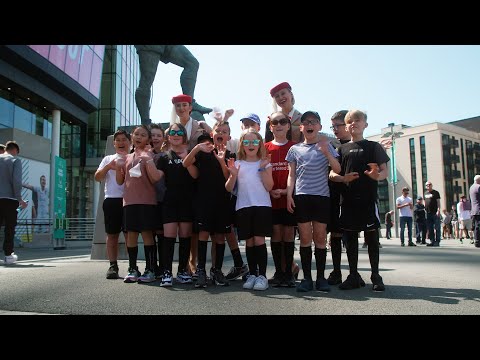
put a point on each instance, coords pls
(299, 178)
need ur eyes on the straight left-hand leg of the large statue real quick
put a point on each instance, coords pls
(148, 62)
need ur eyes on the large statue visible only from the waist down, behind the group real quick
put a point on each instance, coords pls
(149, 57)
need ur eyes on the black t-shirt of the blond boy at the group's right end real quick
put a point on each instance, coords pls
(354, 157)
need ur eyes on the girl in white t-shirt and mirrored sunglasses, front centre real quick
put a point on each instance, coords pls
(251, 176)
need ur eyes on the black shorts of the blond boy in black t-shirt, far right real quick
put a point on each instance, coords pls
(359, 216)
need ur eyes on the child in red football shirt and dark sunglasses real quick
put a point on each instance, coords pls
(282, 240)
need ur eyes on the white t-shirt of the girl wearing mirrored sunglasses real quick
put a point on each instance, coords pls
(250, 189)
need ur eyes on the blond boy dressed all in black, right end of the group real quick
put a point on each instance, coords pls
(363, 164)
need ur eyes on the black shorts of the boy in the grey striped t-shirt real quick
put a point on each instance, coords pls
(312, 208)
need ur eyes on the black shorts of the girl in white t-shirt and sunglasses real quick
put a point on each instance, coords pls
(254, 221)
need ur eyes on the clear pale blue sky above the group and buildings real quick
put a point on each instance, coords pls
(409, 85)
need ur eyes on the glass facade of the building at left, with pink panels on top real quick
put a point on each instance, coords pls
(82, 145)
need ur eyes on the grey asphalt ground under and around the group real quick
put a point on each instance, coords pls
(419, 281)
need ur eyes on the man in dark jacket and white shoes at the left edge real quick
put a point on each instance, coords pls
(10, 196)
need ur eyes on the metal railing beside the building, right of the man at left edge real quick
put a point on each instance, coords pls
(77, 228)
